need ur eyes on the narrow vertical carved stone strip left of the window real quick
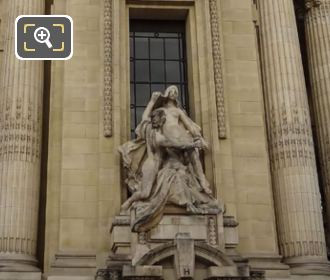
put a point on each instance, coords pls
(107, 90)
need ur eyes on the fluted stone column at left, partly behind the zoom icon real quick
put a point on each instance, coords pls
(21, 91)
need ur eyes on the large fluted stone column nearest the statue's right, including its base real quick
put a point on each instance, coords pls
(293, 167)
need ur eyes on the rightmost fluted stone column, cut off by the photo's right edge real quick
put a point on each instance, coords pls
(317, 26)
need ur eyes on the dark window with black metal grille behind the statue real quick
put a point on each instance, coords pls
(157, 60)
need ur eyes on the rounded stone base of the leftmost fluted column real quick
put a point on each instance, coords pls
(10, 262)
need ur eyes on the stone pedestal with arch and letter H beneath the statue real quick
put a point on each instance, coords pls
(175, 248)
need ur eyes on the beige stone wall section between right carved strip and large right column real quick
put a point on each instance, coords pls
(244, 156)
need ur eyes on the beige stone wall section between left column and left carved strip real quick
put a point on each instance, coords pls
(75, 172)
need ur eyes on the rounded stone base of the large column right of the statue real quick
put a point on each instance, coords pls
(308, 266)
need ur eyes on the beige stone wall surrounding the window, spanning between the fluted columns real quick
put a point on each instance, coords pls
(84, 187)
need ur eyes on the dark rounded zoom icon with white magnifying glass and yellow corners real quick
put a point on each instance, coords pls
(43, 37)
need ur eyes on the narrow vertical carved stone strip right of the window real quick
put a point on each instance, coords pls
(218, 76)
